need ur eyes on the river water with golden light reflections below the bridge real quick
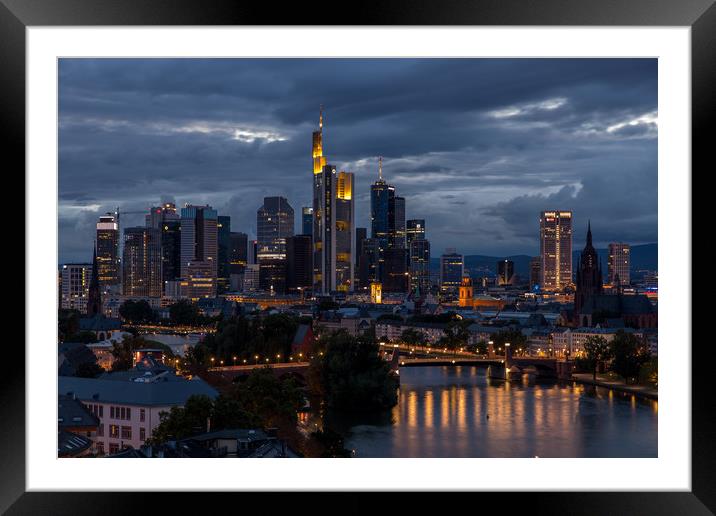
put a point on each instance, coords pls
(458, 412)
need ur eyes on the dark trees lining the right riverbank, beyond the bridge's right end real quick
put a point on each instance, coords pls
(626, 355)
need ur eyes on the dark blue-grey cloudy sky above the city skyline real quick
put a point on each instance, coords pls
(477, 146)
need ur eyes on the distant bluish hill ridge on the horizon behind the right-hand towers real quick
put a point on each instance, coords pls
(644, 256)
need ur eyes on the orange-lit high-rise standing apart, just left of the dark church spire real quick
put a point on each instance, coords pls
(556, 249)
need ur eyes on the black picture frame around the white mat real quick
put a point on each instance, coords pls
(17, 15)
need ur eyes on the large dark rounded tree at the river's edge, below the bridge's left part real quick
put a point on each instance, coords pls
(350, 375)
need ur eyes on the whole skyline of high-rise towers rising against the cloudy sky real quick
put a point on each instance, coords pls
(193, 253)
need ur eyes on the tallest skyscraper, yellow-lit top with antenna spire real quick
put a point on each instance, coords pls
(333, 223)
